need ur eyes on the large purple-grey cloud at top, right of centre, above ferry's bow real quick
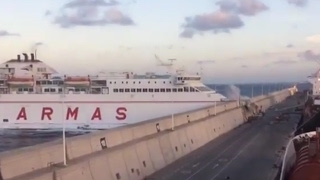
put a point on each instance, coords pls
(223, 20)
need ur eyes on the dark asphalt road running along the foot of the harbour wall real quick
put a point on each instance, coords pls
(246, 153)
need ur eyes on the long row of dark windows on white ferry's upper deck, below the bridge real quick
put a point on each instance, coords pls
(151, 90)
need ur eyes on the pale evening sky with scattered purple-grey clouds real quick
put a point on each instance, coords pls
(231, 41)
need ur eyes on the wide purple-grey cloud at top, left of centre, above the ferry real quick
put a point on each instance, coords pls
(91, 13)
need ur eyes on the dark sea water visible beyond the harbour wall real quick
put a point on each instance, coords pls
(10, 140)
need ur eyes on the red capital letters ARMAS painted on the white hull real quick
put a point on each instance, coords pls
(72, 113)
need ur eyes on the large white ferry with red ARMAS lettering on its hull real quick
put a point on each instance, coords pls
(34, 96)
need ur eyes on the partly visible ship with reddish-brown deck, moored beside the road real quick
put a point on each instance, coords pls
(301, 160)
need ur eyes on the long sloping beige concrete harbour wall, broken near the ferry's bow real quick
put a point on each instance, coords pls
(131, 152)
